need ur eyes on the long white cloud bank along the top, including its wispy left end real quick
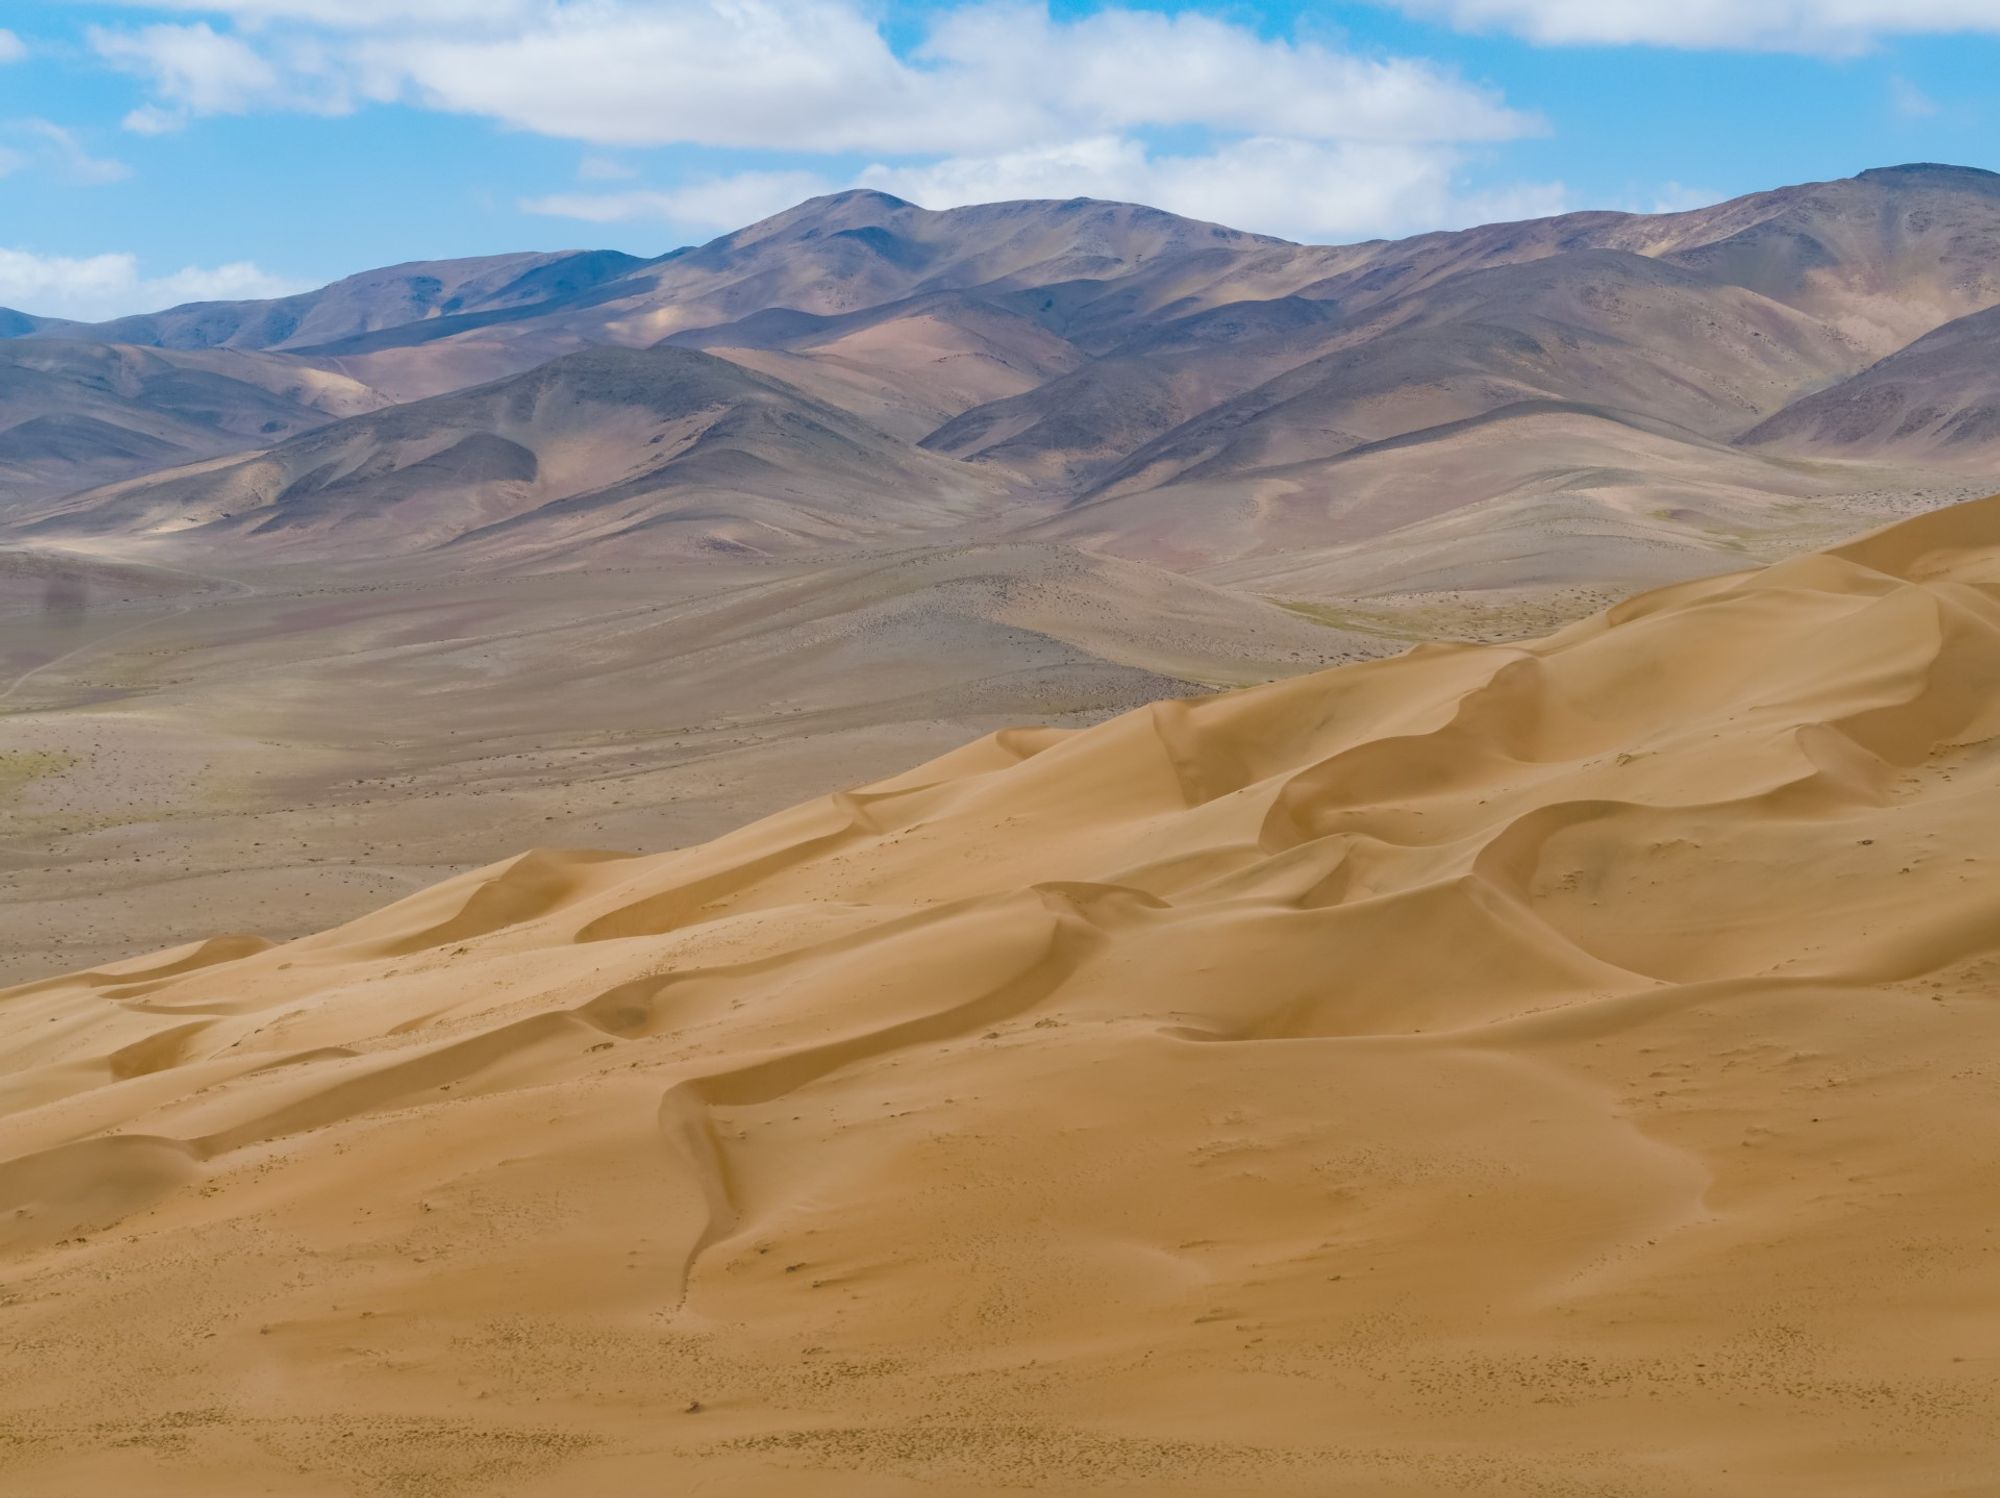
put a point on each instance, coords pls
(795, 75)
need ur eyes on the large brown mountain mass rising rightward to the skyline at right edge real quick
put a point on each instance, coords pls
(1711, 321)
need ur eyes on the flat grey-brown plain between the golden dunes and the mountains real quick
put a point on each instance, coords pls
(303, 747)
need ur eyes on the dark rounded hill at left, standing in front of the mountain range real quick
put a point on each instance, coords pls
(667, 449)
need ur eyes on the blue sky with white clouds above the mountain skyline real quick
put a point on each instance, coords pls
(163, 151)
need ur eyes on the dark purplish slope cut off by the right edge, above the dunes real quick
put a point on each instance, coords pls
(1937, 401)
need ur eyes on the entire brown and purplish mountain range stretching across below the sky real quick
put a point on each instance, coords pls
(1615, 397)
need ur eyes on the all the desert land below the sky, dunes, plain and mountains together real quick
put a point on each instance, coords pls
(1035, 849)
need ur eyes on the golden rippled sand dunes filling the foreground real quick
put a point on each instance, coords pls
(1549, 1069)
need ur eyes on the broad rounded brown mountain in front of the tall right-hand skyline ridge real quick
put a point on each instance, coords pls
(1595, 327)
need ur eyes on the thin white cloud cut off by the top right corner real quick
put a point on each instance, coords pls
(1823, 27)
